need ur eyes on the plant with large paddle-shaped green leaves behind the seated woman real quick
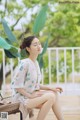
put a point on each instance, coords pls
(8, 44)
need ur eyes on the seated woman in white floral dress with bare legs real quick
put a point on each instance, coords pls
(27, 85)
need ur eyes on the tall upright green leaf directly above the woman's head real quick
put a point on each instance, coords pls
(40, 20)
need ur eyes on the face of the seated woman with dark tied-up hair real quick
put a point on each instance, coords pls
(35, 47)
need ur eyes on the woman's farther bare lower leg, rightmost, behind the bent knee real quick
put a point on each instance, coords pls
(57, 108)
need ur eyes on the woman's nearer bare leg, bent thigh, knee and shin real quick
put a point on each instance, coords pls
(47, 100)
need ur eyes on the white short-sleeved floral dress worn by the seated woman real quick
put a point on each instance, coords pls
(28, 76)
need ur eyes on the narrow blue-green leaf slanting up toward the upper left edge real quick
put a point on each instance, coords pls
(8, 32)
